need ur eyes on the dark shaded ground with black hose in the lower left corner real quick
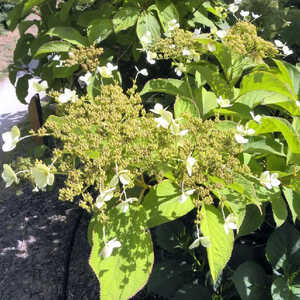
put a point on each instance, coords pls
(43, 248)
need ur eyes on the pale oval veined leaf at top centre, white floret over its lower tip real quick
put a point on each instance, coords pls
(148, 22)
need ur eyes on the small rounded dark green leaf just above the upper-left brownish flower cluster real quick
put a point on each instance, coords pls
(99, 29)
